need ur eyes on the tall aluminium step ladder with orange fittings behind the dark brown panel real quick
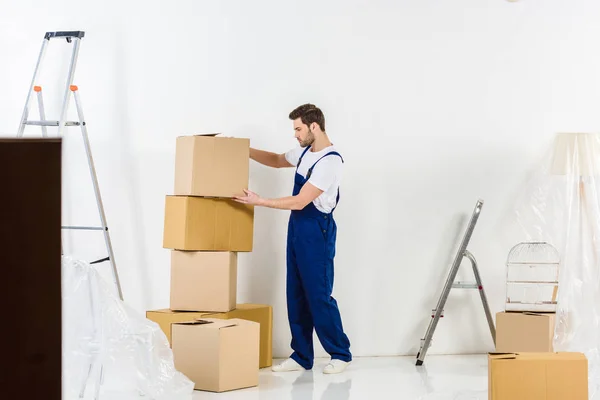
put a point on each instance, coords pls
(74, 38)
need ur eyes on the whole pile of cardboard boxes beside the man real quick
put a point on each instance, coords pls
(217, 343)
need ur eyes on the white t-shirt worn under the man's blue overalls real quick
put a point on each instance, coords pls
(326, 175)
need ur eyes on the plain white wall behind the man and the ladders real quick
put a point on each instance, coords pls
(433, 104)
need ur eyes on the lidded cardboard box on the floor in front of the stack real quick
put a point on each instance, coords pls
(217, 355)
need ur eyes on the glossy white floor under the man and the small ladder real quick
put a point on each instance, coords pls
(440, 378)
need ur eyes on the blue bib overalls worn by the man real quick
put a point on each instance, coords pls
(310, 253)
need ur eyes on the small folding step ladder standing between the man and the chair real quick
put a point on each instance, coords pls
(438, 312)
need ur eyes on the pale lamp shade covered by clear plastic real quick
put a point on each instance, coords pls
(576, 154)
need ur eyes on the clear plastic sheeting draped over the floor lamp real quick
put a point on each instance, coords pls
(561, 205)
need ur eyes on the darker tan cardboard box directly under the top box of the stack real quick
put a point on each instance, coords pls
(205, 224)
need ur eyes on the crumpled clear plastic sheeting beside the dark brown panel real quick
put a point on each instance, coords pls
(109, 350)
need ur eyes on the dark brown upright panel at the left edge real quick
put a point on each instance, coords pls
(30, 268)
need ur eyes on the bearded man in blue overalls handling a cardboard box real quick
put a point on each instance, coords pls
(311, 241)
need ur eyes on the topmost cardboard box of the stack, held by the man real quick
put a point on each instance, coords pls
(211, 166)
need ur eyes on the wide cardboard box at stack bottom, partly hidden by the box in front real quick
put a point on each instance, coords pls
(263, 314)
